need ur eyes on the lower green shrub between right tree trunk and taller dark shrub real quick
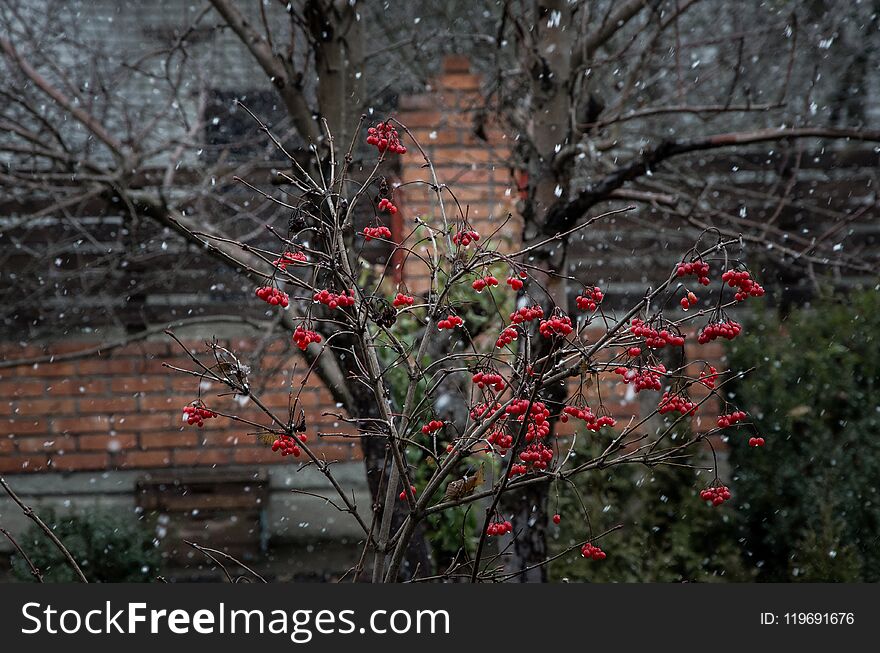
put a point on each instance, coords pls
(668, 534)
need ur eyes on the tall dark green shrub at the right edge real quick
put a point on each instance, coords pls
(809, 502)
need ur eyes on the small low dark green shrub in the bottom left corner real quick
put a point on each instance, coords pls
(109, 547)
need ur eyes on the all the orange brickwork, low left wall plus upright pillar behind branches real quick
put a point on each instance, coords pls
(122, 410)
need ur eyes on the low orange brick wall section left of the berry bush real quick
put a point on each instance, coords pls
(122, 410)
